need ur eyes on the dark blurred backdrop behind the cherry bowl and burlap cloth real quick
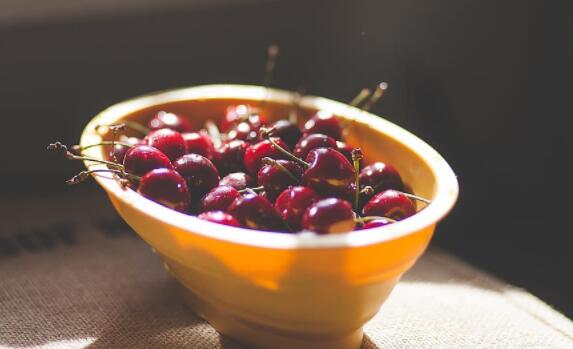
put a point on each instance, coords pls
(487, 83)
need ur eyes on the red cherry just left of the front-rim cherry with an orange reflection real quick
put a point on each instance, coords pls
(293, 202)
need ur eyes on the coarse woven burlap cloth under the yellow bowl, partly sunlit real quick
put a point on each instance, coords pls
(73, 276)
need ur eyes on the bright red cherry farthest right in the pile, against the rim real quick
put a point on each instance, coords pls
(390, 203)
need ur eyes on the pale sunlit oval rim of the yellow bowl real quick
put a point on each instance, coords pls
(447, 188)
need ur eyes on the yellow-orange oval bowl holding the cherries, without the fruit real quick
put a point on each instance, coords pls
(272, 290)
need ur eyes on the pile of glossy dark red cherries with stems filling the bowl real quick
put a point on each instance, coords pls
(248, 173)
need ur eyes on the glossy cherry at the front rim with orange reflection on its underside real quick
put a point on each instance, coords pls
(329, 216)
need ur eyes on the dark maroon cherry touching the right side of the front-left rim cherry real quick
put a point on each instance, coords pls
(199, 173)
